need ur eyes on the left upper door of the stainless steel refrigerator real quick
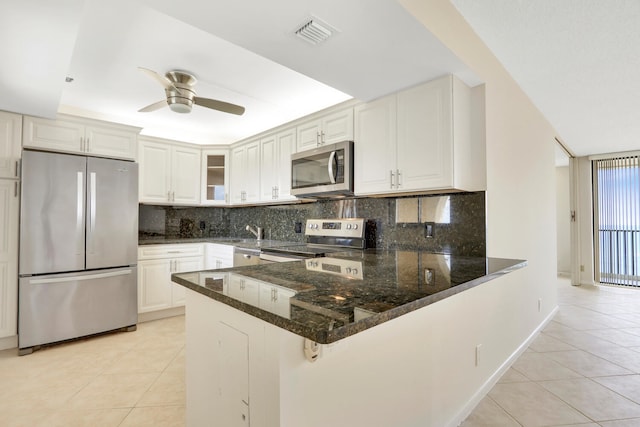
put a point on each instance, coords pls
(52, 213)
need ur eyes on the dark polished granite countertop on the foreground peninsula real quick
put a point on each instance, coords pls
(345, 293)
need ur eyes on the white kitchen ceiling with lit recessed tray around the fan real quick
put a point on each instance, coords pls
(243, 52)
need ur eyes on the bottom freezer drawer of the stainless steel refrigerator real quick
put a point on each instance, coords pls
(64, 306)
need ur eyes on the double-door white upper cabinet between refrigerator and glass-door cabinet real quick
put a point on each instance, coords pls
(169, 173)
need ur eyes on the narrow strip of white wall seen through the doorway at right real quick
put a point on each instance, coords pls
(563, 216)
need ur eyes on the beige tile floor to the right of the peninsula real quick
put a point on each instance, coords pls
(582, 370)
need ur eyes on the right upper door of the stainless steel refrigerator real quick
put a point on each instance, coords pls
(112, 213)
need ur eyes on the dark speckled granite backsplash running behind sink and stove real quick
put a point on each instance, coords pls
(463, 232)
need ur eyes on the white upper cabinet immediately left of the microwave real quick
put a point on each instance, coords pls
(275, 172)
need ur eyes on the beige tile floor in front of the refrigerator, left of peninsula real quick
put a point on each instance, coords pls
(124, 379)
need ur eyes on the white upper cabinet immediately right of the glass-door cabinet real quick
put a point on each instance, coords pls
(245, 173)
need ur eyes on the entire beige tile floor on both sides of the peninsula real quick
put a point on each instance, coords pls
(582, 370)
